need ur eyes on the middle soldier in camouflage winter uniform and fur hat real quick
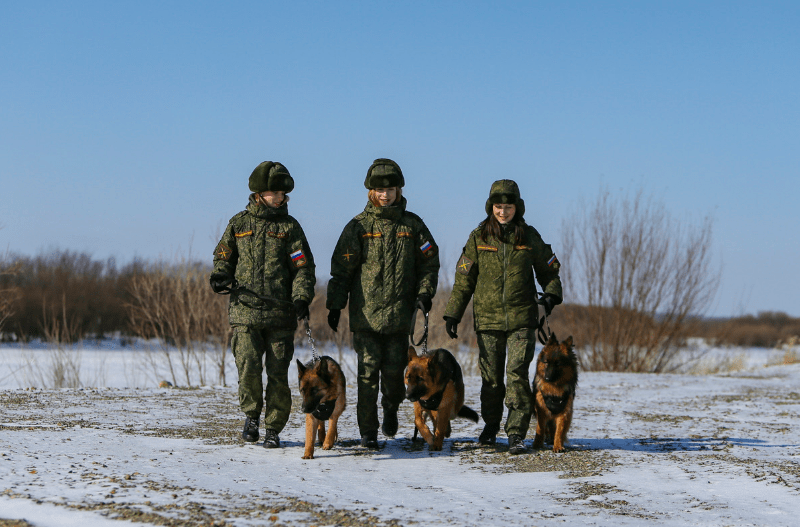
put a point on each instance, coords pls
(385, 262)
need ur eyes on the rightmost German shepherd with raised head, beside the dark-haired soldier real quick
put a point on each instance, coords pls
(554, 391)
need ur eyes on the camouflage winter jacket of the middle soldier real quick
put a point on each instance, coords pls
(383, 260)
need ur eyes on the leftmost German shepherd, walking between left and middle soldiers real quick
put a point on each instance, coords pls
(322, 385)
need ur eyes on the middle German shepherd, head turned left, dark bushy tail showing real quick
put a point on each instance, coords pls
(435, 384)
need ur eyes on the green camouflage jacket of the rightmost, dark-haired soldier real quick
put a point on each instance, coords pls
(500, 276)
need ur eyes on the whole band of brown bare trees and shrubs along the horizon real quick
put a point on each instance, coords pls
(637, 283)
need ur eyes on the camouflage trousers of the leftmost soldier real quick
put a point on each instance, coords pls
(276, 346)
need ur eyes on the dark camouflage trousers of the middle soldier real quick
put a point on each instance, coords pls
(382, 360)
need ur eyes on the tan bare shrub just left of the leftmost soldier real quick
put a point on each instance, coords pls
(172, 304)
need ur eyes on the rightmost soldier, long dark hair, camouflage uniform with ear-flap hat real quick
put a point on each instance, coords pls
(496, 269)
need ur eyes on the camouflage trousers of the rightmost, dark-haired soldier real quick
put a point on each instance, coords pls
(517, 389)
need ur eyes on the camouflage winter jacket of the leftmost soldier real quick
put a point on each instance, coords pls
(267, 253)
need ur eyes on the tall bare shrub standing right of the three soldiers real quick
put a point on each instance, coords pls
(640, 278)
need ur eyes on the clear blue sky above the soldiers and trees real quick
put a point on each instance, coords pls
(130, 128)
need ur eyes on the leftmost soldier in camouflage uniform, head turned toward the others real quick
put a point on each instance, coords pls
(263, 259)
